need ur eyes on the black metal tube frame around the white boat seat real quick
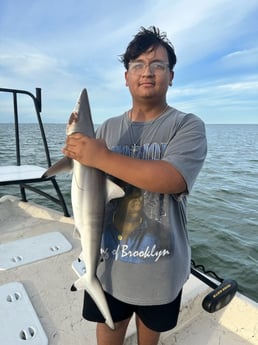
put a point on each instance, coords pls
(24, 184)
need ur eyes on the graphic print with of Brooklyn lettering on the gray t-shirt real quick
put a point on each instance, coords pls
(136, 226)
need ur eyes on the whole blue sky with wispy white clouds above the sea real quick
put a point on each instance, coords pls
(64, 46)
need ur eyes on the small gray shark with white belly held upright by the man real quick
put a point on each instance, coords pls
(90, 191)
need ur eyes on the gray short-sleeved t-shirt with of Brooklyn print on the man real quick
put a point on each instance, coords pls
(145, 248)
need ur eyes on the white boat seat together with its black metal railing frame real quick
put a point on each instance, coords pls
(28, 176)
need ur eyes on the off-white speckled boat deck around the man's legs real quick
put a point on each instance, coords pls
(48, 281)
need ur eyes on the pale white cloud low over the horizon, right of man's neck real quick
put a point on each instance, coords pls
(223, 101)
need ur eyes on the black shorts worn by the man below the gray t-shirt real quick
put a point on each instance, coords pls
(159, 318)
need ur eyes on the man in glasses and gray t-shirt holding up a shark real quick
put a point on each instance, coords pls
(159, 150)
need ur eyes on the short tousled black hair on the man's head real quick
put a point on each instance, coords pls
(146, 39)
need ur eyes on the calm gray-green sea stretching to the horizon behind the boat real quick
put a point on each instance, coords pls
(223, 206)
